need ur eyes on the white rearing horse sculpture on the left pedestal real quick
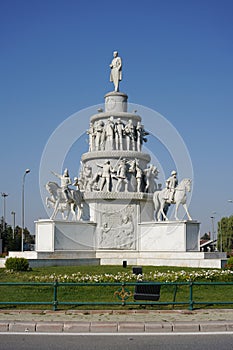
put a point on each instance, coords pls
(60, 203)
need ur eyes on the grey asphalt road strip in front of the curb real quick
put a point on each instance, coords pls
(116, 342)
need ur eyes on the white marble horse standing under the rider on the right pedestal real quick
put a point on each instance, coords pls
(160, 199)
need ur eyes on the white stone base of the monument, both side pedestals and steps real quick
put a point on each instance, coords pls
(166, 243)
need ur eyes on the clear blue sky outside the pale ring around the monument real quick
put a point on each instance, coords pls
(177, 59)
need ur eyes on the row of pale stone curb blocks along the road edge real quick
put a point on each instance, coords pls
(114, 327)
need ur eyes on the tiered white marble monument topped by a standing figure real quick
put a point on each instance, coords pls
(119, 212)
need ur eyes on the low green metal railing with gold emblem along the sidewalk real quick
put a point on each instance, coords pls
(123, 294)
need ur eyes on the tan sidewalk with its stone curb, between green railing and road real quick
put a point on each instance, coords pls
(112, 321)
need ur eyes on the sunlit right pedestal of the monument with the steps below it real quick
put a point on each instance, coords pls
(166, 243)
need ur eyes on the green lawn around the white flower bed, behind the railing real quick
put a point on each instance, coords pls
(101, 294)
